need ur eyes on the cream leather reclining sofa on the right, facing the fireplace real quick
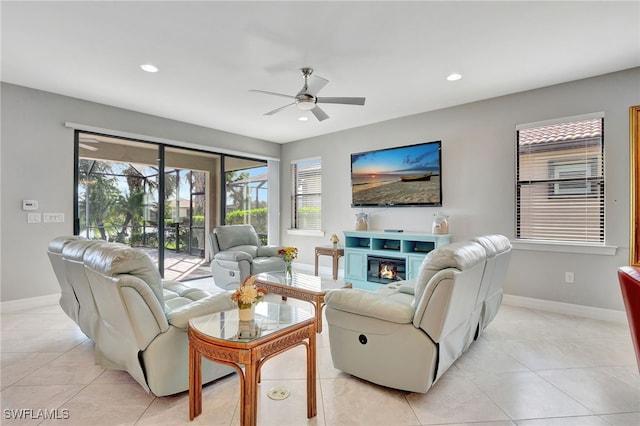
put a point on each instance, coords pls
(408, 337)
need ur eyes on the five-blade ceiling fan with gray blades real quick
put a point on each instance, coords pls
(307, 99)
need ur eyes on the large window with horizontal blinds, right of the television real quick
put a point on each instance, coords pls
(560, 182)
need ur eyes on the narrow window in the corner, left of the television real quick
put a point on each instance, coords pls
(306, 194)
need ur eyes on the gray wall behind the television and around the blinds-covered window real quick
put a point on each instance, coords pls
(478, 181)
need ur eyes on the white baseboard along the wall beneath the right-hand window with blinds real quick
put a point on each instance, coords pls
(566, 308)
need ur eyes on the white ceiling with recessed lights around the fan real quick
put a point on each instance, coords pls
(396, 54)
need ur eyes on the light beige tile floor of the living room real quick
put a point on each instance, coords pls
(529, 368)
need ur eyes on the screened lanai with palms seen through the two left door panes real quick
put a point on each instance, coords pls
(118, 202)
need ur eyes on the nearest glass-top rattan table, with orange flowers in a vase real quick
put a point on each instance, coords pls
(223, 338)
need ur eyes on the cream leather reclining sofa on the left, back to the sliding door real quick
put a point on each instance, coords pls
(137, 321)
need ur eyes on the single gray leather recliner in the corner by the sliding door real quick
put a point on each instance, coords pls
(237, 253)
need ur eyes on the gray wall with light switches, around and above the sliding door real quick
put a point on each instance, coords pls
(37, 163)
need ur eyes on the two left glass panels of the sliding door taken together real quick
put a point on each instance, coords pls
(118, 187)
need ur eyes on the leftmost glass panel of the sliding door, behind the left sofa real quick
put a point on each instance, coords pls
(117, 191)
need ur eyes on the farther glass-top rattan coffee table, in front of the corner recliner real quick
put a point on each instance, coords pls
(302, 287)
